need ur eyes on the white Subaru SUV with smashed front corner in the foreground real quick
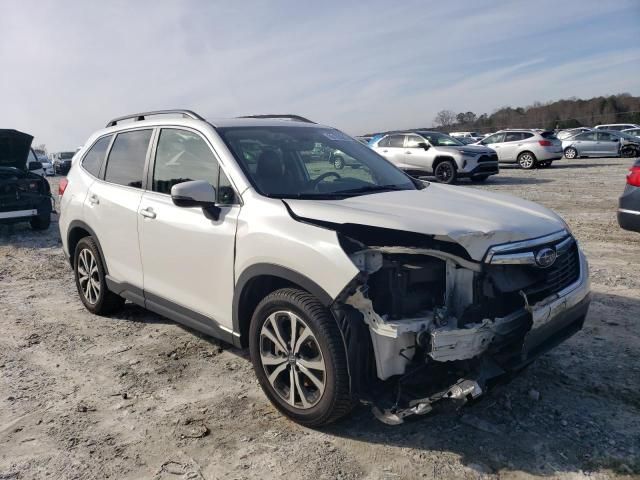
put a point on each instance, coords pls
(358, 285)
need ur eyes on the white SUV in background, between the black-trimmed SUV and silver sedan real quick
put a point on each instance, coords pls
(527, 148)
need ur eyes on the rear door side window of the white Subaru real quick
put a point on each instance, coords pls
(125, 165)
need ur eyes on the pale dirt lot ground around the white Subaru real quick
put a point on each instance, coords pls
(137, 396)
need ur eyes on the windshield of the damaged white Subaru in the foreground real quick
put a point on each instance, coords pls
(309, 162)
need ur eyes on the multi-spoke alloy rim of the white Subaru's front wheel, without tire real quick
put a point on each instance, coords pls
(292, 359)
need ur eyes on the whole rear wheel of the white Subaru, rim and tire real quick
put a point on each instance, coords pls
(90, 279)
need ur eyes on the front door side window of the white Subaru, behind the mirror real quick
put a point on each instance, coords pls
(183, 156)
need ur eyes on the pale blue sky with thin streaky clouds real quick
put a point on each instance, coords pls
(67, 67)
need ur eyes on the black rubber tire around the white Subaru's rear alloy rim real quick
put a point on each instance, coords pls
(106, 302)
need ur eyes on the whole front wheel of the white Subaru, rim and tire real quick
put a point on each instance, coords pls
(299, 358)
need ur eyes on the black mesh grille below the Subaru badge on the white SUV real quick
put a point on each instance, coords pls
(564, 272)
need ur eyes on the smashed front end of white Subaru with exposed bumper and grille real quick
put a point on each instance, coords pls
(439, 325)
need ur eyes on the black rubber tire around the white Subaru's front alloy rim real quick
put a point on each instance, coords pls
(336, 401)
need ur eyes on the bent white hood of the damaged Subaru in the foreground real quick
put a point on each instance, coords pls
(475, 219)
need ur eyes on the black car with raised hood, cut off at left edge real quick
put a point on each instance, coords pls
(25, 196)
